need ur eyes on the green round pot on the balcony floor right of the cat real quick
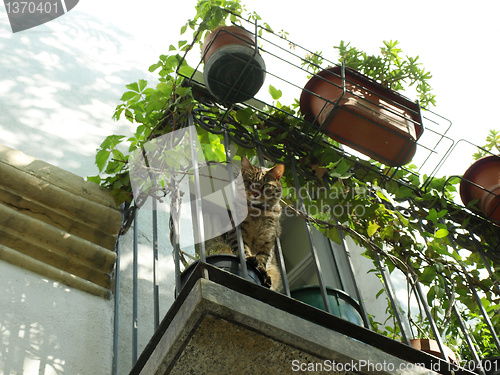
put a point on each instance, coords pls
(342, 305)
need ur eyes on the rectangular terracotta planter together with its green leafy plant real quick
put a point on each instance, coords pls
(363, 111)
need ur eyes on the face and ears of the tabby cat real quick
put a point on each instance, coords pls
(262, 185)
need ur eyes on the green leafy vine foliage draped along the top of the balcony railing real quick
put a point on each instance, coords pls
(419, 231)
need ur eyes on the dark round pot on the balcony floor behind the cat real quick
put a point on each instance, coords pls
(226, 262)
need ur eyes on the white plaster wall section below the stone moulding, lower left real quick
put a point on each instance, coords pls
(47, 328)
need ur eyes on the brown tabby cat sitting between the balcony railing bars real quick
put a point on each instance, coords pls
(262, 225)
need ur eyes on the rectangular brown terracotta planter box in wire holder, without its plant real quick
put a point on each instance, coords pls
(367, 117)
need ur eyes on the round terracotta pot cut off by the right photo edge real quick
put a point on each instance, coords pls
(482, 181)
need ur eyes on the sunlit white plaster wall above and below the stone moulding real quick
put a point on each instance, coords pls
(59, 85)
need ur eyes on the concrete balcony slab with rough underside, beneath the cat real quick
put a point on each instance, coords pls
(219, 330)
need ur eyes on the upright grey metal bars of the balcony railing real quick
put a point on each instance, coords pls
(341, 257)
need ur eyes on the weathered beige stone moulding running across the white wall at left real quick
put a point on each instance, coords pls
(55, 223)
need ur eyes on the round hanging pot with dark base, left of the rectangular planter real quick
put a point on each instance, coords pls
(234, 70)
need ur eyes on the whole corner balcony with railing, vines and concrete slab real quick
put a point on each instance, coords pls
(219, 322)
